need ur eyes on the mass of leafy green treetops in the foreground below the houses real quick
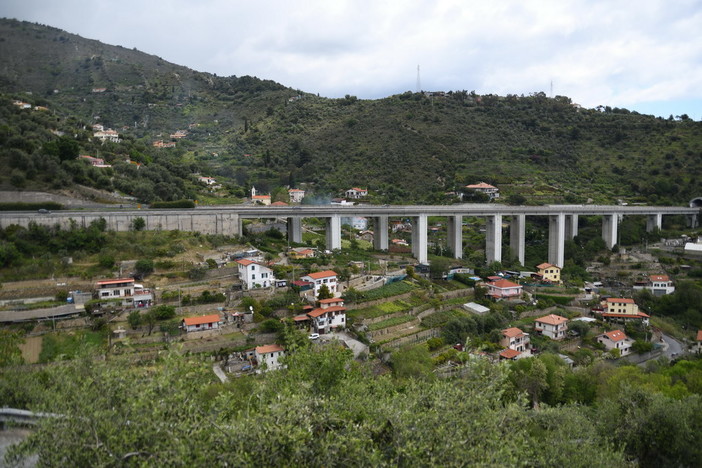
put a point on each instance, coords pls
(324, 410)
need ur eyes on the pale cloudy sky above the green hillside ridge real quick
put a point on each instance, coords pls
(644, 55)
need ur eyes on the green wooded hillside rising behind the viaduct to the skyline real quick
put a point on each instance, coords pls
(407, 148)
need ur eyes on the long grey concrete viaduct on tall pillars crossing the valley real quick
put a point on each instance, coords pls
(227, 220)
